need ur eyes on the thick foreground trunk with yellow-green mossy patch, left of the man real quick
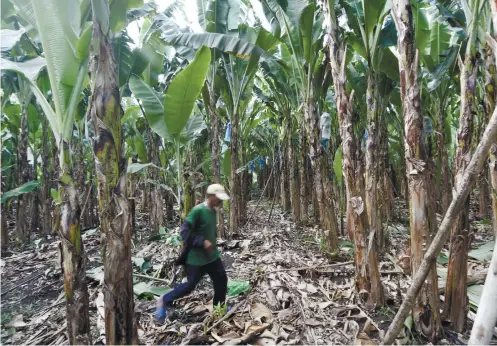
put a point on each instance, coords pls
(115, 219)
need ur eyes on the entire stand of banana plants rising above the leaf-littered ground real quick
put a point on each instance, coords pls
(337, 107)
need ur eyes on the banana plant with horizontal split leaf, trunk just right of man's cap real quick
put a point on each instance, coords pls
(239, 60)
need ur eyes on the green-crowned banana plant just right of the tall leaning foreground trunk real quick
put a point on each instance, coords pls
(371, 40)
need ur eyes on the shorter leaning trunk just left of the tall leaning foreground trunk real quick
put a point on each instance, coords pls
(320, 167)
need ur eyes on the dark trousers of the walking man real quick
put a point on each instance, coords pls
(194, 274)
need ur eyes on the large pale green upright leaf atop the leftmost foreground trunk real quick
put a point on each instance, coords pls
(65, 42)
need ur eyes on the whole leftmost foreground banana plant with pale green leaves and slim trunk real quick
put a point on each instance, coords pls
(65, 46)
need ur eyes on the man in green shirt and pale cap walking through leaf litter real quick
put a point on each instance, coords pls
(200, 254)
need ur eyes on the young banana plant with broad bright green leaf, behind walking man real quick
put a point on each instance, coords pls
(169, 115)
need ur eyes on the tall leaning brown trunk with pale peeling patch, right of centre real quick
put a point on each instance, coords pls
(368, 280)
